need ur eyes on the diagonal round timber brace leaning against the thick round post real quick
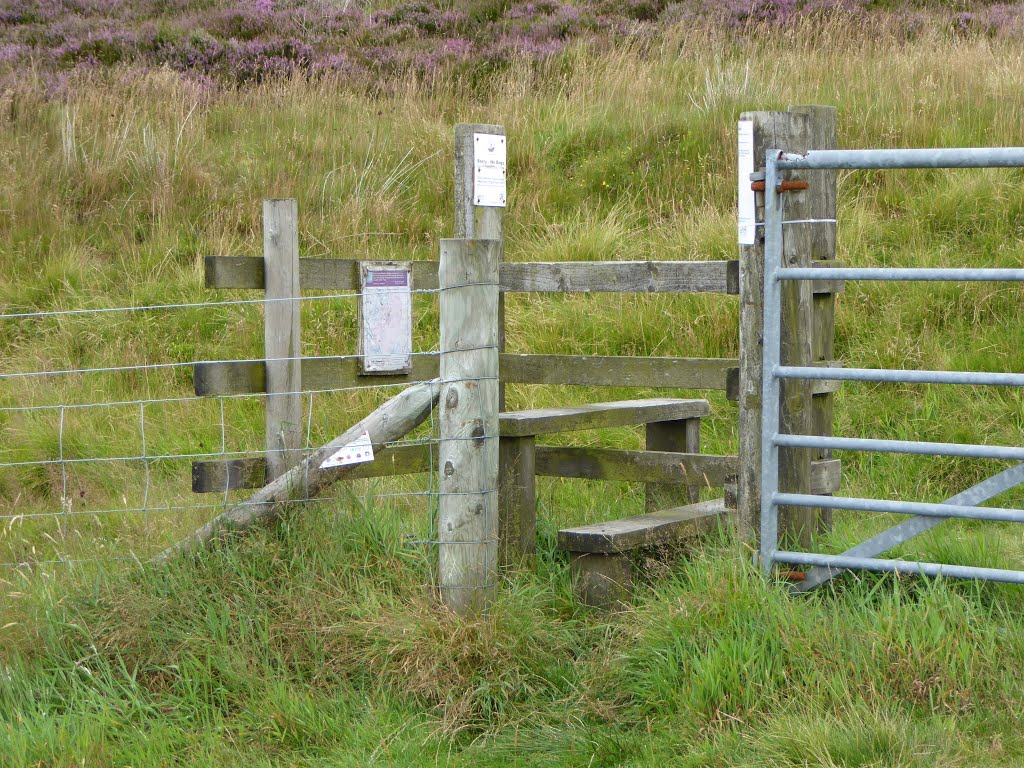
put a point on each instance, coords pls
(389, 423)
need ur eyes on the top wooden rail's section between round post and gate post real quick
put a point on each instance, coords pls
(623, 277)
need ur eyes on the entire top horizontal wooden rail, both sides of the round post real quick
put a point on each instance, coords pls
(553, 277)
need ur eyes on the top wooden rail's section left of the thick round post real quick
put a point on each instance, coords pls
(315, 274)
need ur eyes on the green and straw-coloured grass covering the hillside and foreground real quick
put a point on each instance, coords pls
(316, 644)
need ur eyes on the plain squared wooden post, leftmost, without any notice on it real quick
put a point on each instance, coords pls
(281, 336)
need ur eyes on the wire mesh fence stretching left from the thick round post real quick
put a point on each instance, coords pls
(97, 474)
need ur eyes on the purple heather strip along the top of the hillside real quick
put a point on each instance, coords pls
(251, 41)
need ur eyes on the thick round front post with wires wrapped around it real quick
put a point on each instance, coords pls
(468, 422)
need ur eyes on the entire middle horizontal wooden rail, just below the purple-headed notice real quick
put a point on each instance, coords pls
(249, 377)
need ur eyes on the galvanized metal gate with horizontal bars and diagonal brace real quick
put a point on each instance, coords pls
(924, 516)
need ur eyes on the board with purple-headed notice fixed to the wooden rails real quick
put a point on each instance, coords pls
(386, 318)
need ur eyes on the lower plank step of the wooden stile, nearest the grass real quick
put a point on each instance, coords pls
(617, 537)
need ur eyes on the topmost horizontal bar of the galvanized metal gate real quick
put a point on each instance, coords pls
(982, 157)
